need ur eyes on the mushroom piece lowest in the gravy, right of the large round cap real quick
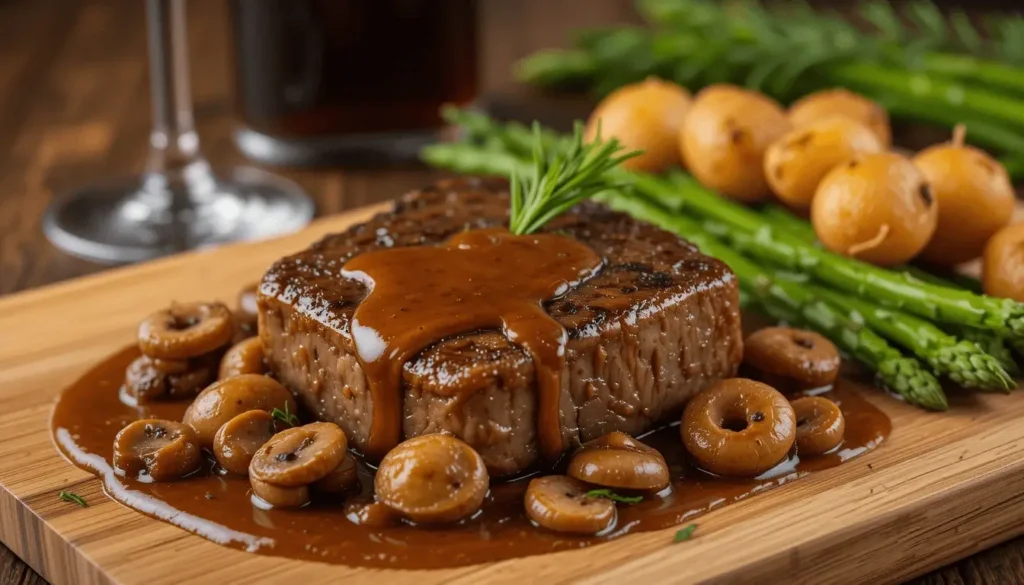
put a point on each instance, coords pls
(562, 505)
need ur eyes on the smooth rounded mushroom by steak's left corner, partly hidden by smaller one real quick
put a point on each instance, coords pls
(226, 400)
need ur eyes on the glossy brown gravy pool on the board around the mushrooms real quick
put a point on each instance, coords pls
(91, 413)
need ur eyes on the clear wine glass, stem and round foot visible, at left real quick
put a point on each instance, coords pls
(179, 203)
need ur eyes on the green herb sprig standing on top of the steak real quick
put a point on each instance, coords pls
(560, 183)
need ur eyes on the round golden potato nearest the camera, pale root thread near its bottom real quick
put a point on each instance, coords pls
(878, 208)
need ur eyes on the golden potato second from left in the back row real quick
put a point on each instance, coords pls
(724, 139)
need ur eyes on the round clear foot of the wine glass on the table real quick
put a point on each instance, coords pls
(147, 218)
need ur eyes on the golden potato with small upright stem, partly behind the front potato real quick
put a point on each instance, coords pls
(975, 197)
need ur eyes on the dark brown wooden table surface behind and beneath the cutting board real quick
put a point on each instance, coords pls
(74, 108)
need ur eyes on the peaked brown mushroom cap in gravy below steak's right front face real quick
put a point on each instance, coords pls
(618, 461)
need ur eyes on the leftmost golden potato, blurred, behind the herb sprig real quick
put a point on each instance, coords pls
(645, 116)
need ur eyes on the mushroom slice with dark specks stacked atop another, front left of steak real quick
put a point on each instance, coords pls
(301, 456)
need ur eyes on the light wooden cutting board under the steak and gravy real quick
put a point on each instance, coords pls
(943, 487)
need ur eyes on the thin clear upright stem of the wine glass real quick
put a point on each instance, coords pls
(174, 143)
